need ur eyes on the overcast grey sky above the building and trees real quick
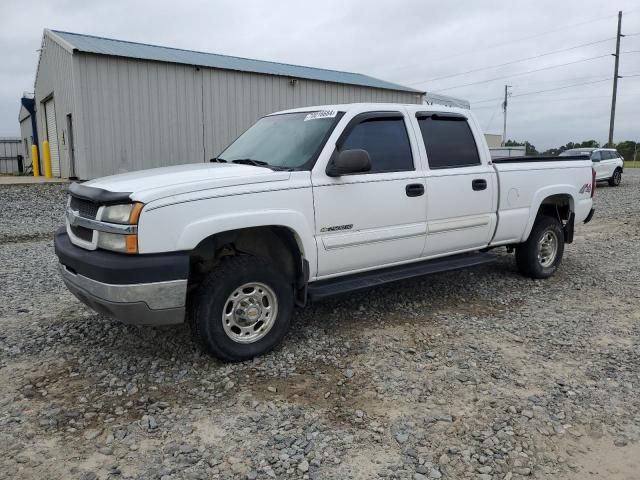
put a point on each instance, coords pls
(412, 42)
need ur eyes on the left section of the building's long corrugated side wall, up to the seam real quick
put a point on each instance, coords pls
(136, 115)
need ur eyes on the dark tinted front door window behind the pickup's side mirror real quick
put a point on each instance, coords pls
(386, 141)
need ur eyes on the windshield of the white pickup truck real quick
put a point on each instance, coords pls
(288, 141)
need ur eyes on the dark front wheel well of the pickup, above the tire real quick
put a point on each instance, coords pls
(277, 244)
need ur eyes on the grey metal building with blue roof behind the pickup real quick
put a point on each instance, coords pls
(108, 106)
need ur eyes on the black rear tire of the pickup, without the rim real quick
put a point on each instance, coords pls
(527, 258)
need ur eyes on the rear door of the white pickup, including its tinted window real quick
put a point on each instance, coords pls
(461, 186)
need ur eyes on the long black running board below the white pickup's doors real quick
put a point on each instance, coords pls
(360, 281)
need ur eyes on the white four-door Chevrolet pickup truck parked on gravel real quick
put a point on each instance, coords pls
(306, 204)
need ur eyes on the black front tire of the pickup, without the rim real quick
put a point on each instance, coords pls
(209, 301)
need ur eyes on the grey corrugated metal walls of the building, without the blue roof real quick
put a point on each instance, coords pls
(134, 114)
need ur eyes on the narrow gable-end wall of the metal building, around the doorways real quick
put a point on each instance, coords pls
(55, 77)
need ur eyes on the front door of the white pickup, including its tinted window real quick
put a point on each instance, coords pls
(376, 218)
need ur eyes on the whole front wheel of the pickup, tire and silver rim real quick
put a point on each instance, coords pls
(242, 309)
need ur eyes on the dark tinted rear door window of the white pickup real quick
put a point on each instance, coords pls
(449, 142)
